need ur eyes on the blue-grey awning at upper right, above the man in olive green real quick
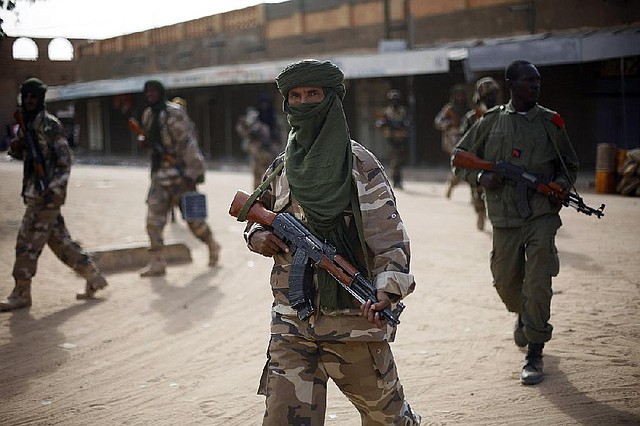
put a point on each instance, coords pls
(546, 49)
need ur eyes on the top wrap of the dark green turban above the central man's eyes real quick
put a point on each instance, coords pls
(311, 72)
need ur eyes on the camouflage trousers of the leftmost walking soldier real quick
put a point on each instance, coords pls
(40, 226)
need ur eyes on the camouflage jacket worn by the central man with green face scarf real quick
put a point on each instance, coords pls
(388, 255)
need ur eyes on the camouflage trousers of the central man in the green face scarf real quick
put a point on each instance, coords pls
(295, 378)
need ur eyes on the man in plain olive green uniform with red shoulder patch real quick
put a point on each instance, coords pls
(524, 257)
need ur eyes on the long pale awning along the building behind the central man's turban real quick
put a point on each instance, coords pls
(414, 62)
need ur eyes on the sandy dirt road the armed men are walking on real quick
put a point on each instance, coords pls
(188, 348)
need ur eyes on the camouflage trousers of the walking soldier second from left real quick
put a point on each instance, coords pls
(160, 200)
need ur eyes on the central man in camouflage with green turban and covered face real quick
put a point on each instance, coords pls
(341, 192)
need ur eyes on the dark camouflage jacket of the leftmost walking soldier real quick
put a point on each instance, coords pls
(57, 158)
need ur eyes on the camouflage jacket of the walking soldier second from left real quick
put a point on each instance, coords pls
(182, 155)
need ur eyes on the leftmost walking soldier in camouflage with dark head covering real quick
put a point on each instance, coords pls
(44, 196)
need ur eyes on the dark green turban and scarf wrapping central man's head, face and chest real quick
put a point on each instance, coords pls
(318, 164)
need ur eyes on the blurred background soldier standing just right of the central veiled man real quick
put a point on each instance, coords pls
(395, 125)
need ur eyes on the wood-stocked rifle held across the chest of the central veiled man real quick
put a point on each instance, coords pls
(307, 249)
